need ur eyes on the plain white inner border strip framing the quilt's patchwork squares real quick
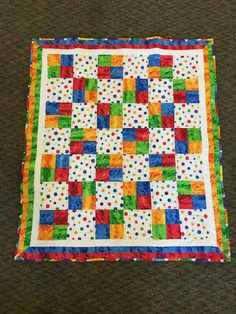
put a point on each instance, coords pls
(211, 241)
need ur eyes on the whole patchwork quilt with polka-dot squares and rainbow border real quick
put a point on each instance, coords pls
(122, 158)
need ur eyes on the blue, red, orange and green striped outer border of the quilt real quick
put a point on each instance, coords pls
(24, 252)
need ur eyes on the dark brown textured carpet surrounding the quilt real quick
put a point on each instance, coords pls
(109, 287)
